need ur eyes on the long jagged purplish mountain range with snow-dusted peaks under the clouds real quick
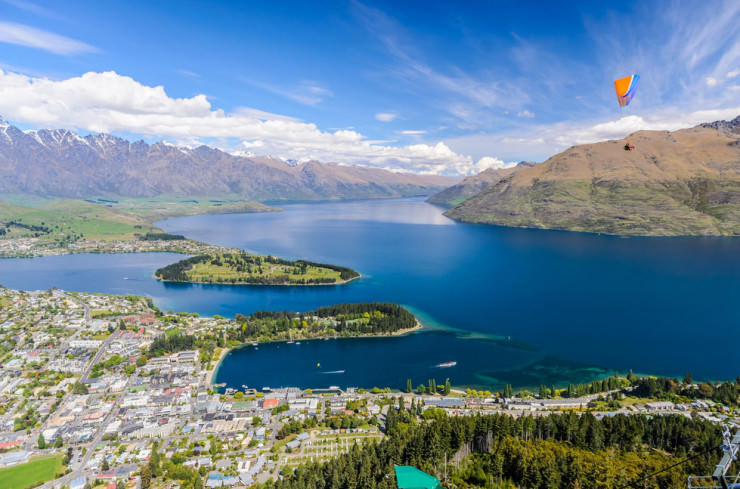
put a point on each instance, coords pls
(61, 163)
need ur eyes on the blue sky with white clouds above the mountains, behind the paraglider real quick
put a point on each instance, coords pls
(429, 87)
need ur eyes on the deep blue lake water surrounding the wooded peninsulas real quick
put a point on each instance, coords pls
(509, 305)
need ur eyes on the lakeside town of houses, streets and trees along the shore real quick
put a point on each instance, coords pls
(87, 400)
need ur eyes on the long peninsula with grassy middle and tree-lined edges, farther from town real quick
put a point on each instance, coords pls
(246, 268)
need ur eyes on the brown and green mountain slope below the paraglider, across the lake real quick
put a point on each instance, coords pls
(685, 182)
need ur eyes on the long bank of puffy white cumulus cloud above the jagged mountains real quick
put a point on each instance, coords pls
(109, 102)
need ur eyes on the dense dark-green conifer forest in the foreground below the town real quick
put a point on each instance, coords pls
(500, 451)
